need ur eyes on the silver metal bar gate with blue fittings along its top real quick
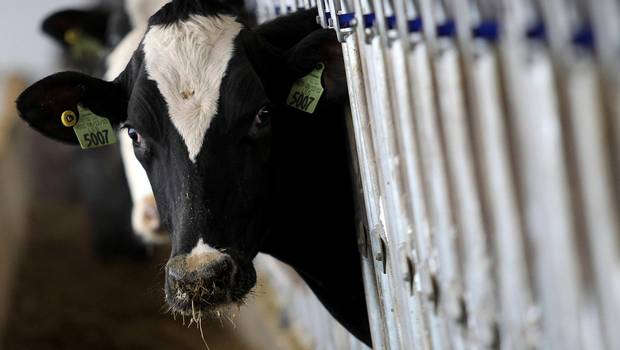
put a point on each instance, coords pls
(487, 136)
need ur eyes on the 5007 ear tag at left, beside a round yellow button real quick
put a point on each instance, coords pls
(92, 130)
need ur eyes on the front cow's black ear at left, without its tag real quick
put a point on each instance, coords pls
(42, 104)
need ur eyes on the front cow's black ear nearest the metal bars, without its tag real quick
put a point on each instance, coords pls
(320, 46)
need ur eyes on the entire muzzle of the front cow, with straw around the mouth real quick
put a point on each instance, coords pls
(203, 285)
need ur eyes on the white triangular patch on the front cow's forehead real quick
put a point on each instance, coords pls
(187, 60)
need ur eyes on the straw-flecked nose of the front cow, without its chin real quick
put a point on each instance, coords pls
(199, 278)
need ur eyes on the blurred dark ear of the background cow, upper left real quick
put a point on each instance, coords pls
(67, 26)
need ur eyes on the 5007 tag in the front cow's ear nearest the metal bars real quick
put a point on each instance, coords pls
(307, 91)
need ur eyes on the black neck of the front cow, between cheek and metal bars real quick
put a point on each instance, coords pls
(313, 227)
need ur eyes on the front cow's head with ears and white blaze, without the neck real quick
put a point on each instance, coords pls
(202, 99)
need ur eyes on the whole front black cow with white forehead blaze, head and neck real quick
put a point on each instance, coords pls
(235, 171)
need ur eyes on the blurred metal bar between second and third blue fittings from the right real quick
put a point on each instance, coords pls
(545, 198)
